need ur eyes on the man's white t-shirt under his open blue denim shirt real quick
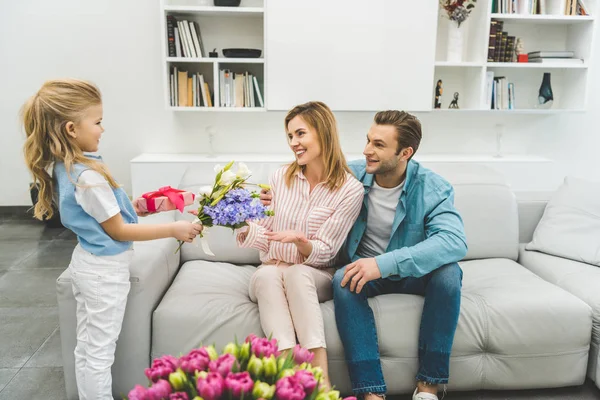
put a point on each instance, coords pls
(382, 210)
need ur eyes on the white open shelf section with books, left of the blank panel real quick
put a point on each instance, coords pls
(220, 28)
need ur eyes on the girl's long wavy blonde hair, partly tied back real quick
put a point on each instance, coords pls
(45, 116)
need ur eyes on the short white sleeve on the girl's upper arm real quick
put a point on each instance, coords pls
(94, 194)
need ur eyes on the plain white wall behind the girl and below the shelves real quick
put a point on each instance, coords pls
(116, 44)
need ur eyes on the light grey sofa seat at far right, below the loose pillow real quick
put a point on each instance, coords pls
(580, 279)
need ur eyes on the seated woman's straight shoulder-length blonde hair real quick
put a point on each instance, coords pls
(320, 118)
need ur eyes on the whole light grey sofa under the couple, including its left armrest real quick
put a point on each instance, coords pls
(516, 330)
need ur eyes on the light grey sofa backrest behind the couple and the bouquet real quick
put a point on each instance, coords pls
(484, 200)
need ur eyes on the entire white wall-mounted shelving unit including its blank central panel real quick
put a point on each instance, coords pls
(286, 38)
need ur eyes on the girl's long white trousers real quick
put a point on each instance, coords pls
(100, 286)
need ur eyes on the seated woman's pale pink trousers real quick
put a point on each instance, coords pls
(288, 298)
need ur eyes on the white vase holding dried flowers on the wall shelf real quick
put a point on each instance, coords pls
(456, 11)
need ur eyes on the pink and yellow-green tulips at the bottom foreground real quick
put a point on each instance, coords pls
(255, 370)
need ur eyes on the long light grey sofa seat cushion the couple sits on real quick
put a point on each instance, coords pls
(513, 328)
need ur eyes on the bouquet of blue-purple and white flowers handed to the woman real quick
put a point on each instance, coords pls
(227, 202)
